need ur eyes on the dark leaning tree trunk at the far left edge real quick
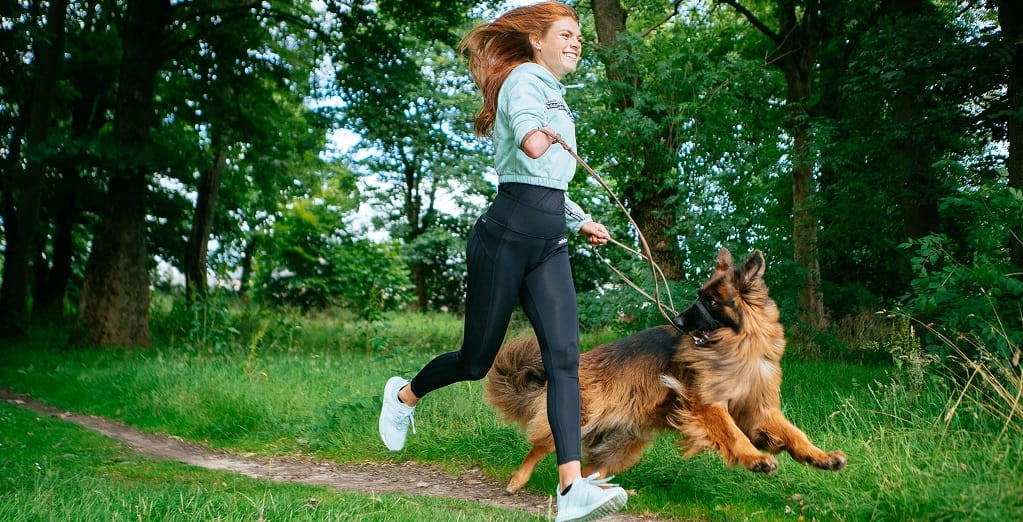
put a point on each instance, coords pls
(28, 192)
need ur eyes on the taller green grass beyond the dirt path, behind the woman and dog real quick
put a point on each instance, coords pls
(927, 441)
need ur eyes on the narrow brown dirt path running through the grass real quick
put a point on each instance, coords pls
(408, 478)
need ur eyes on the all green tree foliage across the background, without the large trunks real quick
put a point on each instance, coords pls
(691, 111)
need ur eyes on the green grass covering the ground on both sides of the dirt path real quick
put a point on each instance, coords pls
(314, 390)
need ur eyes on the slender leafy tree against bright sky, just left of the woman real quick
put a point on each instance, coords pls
(408, 97)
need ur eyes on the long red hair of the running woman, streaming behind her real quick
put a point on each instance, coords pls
(496, 49)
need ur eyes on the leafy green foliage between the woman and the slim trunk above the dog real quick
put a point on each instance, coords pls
(682, 123)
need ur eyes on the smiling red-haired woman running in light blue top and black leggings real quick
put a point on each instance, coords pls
(518, 250)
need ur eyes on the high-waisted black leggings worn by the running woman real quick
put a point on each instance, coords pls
(519, 250)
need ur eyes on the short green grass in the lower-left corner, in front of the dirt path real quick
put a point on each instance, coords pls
(54, 470)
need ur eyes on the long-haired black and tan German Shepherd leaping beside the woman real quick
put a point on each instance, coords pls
(715, 377)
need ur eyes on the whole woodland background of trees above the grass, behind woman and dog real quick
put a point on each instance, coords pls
(320, 154)
